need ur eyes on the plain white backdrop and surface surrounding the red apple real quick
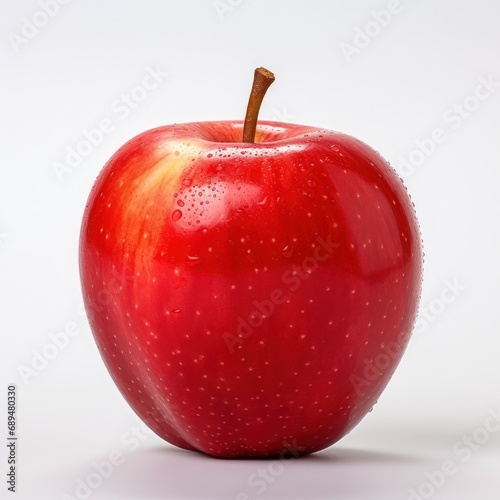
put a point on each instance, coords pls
(397, 89)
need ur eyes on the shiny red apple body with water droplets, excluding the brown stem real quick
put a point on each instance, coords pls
(190, 237)
